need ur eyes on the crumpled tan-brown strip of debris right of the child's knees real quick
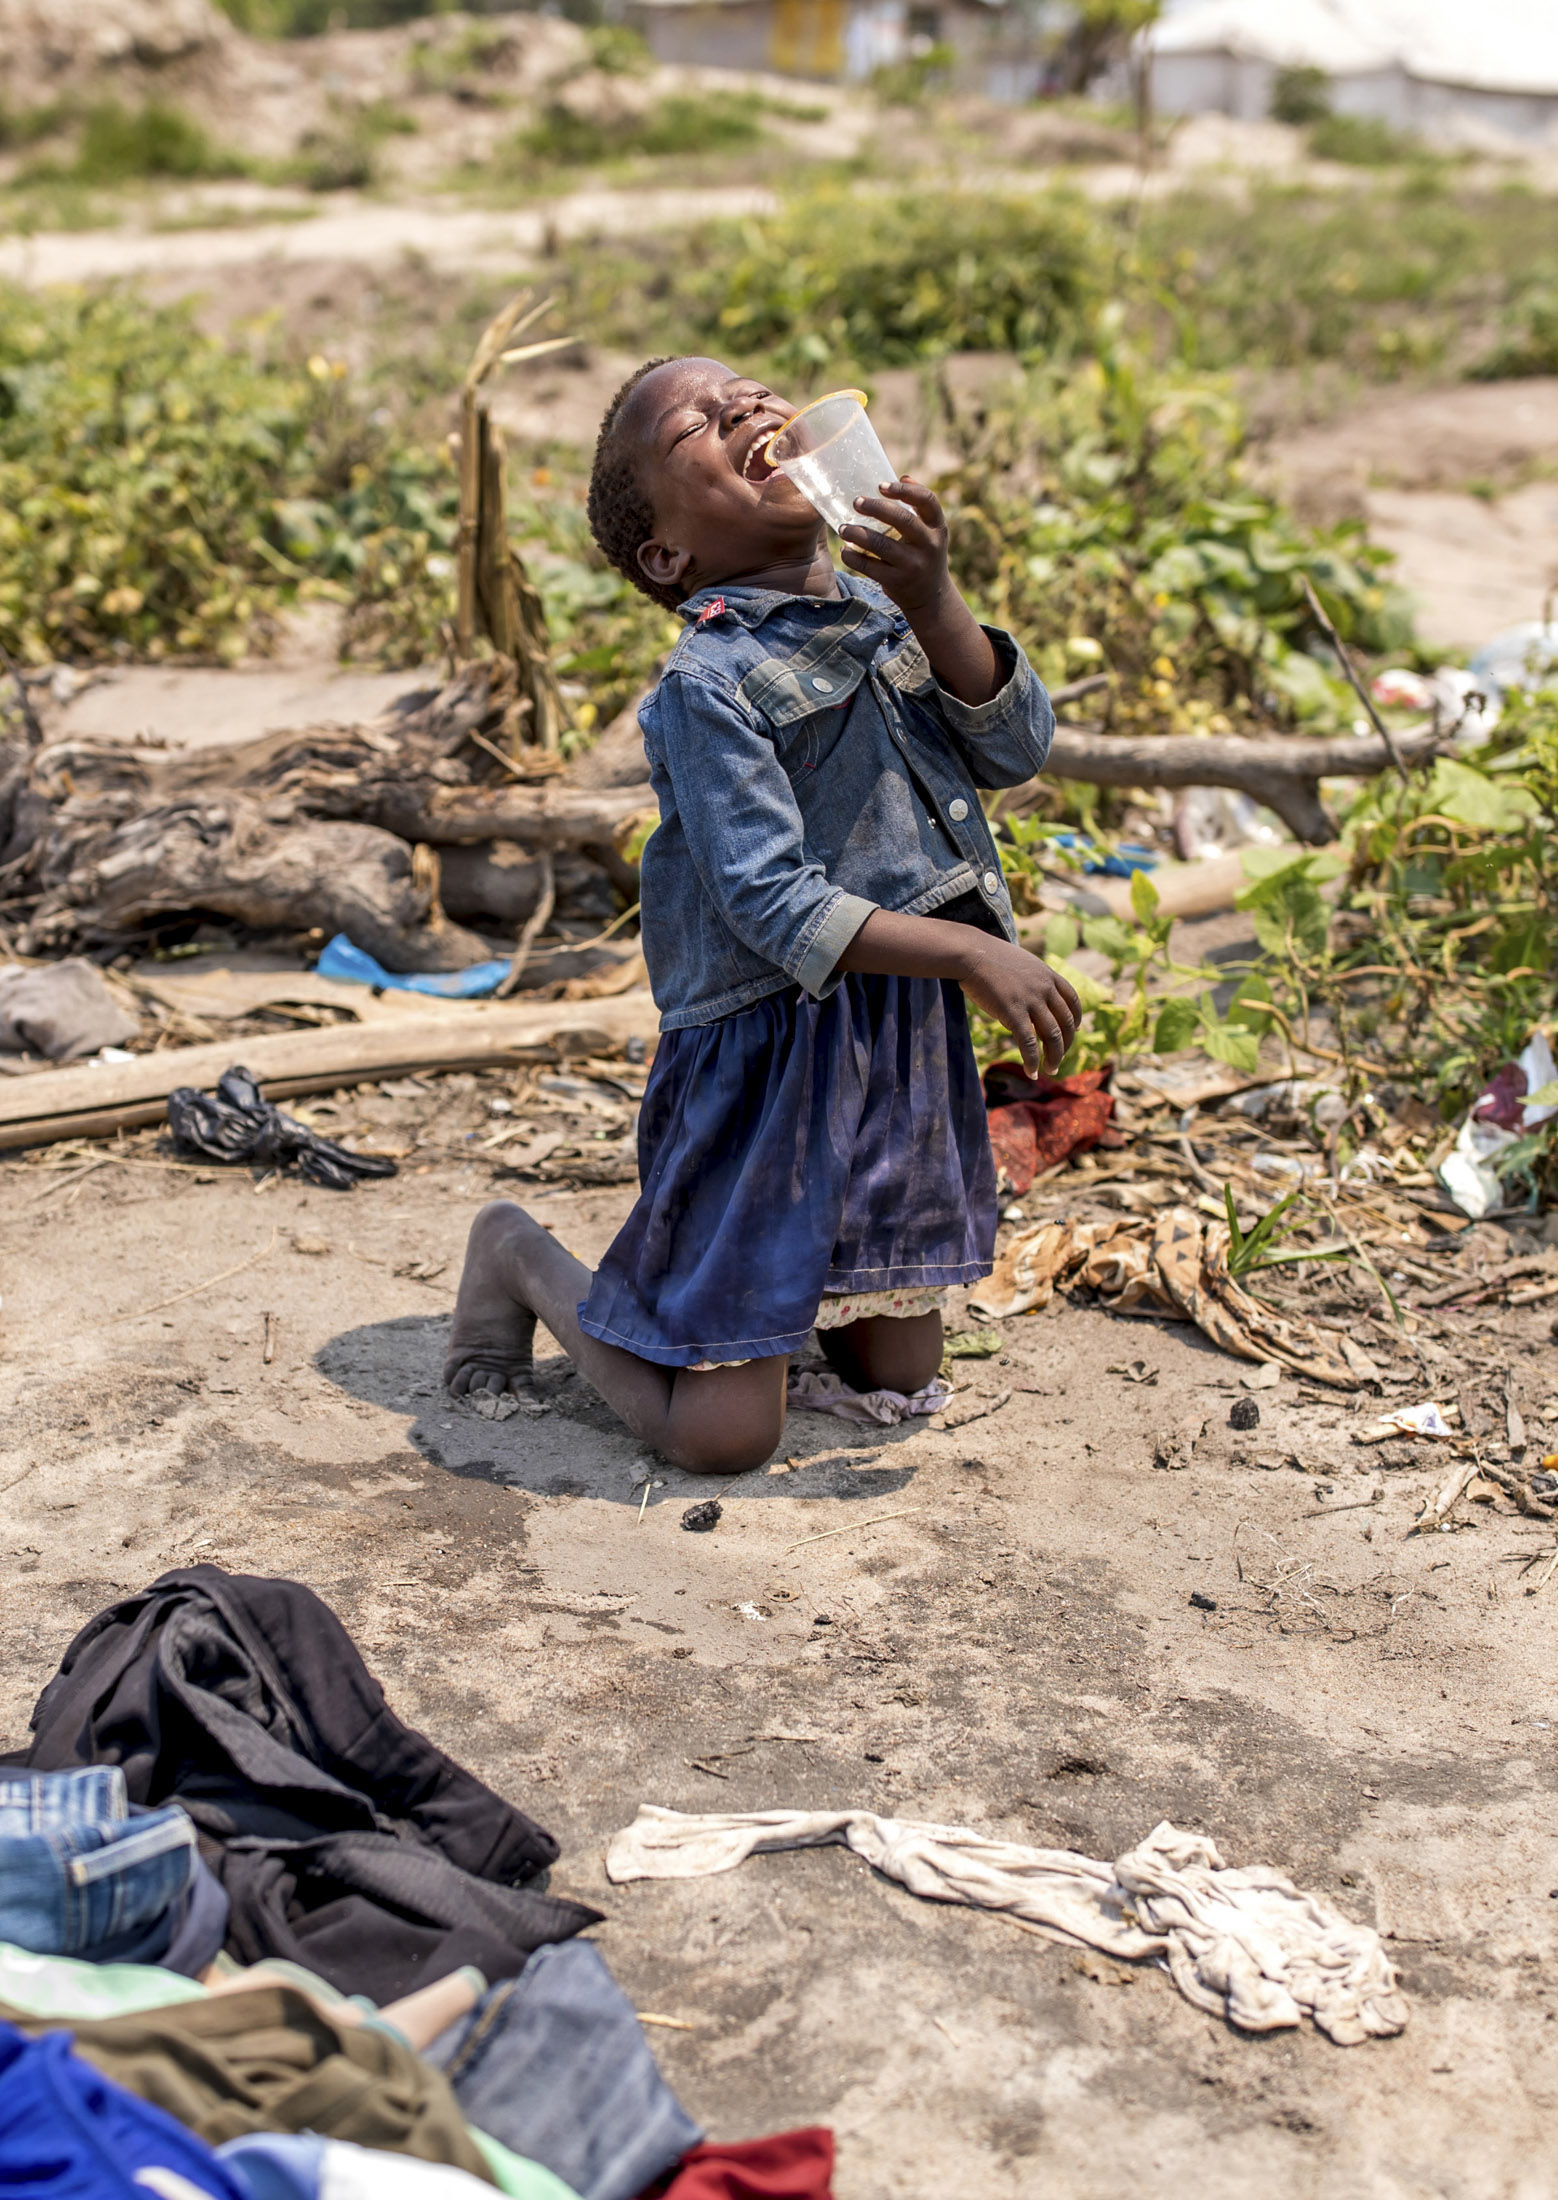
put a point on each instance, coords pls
(1174, 1266)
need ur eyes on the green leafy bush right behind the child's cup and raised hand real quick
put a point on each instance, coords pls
(1110, 500)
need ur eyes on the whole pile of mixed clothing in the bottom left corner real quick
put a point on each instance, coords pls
(263, 1941)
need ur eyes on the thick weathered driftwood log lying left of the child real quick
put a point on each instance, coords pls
(336, 828)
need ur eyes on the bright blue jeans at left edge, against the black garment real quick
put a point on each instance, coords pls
(83, 1878)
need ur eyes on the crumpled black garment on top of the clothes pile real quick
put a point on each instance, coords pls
(342, 1838)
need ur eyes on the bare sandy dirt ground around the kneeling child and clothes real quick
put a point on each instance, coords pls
(1013, 1647)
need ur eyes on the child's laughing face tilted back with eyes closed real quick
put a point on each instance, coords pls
(718, 507)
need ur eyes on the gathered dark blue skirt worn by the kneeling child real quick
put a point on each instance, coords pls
(800, 1149)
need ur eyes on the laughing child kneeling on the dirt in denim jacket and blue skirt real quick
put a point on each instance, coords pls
(818, 899)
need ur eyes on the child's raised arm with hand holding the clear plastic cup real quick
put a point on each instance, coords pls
(1002, 745)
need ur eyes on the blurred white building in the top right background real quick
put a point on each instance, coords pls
(1462, 71)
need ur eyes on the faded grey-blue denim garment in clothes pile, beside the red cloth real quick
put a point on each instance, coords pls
(558, 2067)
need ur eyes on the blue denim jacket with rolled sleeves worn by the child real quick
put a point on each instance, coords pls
(809, 771)
